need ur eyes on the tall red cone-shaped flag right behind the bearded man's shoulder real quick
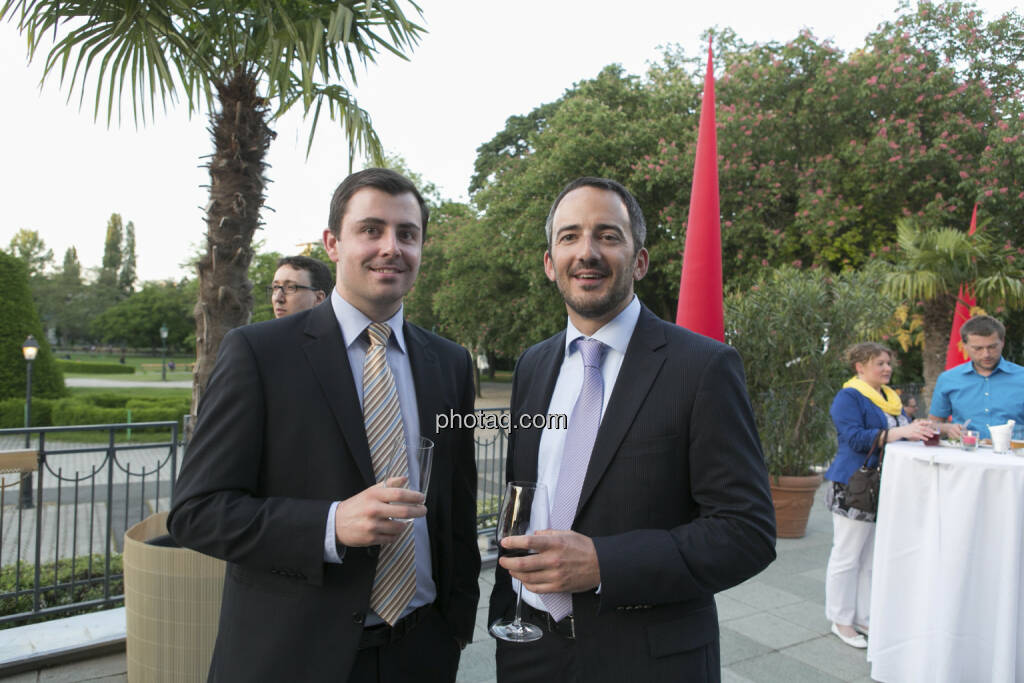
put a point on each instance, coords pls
(701, 283)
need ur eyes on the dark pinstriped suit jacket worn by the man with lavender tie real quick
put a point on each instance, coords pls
(676, 500)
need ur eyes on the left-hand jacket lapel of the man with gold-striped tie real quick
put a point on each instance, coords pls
(325, 350)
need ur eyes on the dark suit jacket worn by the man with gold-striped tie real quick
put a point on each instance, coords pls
(280, 437)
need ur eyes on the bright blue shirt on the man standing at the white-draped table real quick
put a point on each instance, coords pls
(965, 395)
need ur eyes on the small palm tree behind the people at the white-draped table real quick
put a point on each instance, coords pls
(933, 264)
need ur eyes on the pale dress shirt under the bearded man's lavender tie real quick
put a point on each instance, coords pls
(616, 334)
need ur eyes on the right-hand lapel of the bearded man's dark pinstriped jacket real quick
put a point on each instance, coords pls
(645, 358)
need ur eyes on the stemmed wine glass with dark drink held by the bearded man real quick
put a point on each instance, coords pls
(525, 509)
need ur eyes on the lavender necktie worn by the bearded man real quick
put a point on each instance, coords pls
(580, 440)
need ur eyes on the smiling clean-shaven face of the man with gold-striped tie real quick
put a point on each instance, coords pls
(377, 251)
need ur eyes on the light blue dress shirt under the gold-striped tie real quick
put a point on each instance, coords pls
(354, 325)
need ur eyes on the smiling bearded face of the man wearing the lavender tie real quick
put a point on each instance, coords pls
(592, 260)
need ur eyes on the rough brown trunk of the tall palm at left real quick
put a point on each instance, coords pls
(241, 139)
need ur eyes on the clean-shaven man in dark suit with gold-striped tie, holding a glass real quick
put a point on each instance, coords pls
(323, 582)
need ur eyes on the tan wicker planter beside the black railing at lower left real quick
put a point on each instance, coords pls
(173, 606)
